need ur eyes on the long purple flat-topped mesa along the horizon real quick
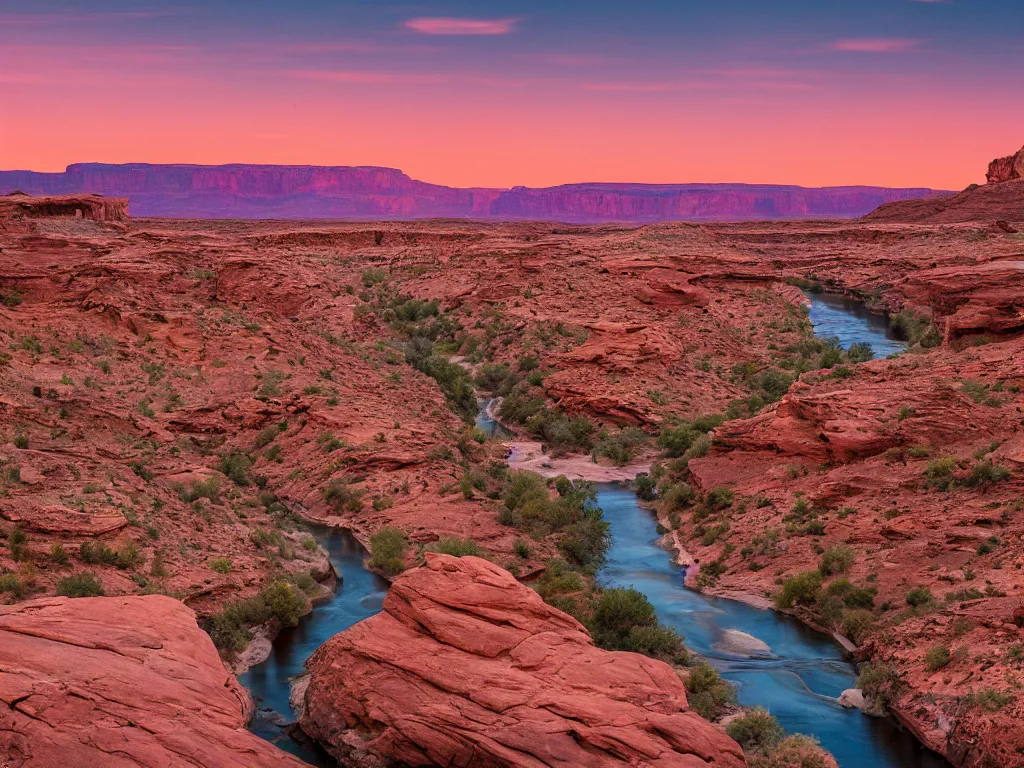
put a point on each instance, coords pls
(311, 192)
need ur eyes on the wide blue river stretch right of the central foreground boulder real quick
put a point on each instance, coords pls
(798, 685)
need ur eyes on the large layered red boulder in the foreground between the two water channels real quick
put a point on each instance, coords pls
(467, 667)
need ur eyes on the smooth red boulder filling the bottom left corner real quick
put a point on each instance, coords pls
(120, 684)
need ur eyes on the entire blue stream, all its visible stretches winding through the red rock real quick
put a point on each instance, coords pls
(798, 681)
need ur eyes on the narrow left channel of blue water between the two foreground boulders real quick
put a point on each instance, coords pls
(359, 596)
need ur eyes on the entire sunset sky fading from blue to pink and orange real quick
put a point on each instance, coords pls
(531, 93)
